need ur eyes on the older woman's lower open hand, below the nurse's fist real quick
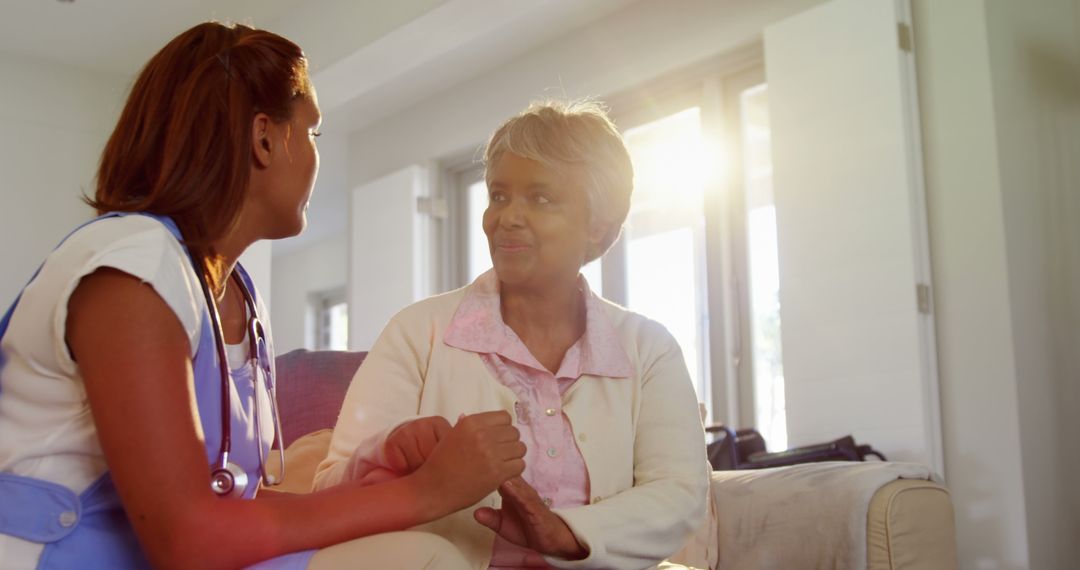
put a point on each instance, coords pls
(526, 521)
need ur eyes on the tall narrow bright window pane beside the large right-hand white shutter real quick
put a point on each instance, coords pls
(771, 410)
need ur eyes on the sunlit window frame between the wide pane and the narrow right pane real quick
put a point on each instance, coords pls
(714, 87)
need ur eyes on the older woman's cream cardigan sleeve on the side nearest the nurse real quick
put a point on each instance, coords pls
(384, 395)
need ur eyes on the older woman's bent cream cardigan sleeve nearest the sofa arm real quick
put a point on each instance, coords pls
(645, 524)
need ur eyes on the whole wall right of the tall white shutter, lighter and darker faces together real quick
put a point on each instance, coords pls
(1001, 121)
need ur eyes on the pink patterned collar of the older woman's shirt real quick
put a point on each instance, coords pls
(478, 327)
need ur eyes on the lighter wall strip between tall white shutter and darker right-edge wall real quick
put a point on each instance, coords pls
(980, 420)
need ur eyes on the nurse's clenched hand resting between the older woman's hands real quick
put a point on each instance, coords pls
(471, 460)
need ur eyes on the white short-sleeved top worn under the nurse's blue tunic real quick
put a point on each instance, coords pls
(47, 431)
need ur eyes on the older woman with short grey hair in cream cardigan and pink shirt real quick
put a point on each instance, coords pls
(615, 472)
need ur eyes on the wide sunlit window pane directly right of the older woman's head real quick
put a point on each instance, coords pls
(665, 235)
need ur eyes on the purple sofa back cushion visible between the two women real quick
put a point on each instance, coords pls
(312, 386)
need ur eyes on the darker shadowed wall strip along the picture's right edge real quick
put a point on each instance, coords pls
(1035, 57)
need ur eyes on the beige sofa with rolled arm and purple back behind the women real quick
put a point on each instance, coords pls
(838, 515)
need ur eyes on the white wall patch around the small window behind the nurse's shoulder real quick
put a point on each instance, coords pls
(296, 277)
